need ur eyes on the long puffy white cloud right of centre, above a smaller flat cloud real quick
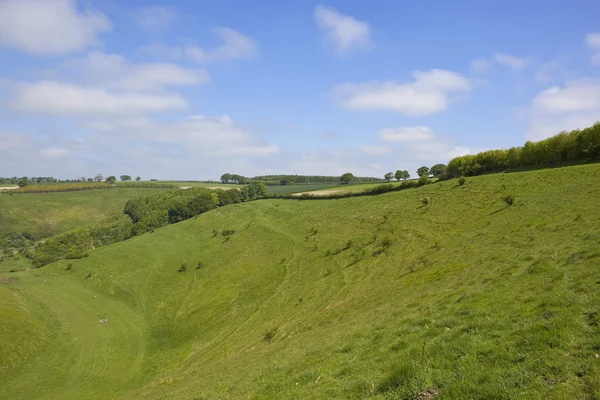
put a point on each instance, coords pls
(429, 93)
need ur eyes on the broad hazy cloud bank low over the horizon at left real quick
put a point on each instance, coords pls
(196, 147)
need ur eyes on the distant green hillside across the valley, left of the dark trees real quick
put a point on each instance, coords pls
(66, 210)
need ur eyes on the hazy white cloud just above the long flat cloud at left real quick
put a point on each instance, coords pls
(113, 71)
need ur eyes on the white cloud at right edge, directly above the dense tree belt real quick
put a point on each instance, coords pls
(575, 105)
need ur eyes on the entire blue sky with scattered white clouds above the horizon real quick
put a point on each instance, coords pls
(191, 89)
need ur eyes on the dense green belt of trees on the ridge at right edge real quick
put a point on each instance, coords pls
(566, 147)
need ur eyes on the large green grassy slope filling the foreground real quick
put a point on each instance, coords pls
(368, 297)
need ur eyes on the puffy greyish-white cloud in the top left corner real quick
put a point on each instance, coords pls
(49, 27)
